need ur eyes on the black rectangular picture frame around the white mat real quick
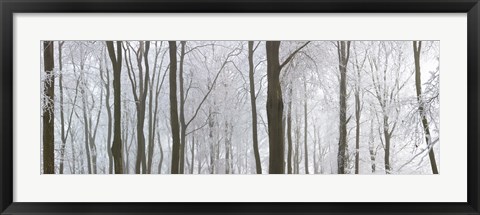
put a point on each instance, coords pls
(9, 7)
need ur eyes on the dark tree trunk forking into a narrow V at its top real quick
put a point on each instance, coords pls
(117, 135)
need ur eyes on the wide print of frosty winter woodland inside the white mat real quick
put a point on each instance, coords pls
(240, 107)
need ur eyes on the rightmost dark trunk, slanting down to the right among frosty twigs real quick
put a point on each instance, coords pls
(421, 108)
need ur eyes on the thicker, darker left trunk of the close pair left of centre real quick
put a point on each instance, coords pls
(173, 108)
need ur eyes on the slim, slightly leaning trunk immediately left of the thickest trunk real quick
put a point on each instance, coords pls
(253, 102)
